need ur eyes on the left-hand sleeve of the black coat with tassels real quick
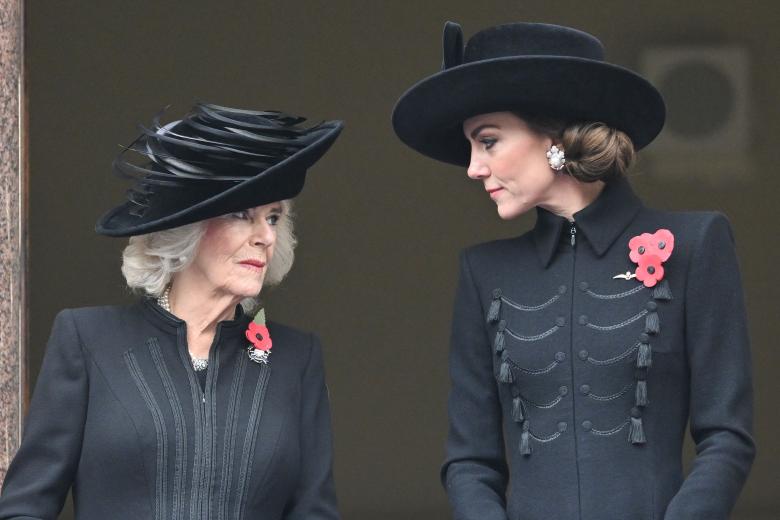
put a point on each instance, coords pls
(474, 473)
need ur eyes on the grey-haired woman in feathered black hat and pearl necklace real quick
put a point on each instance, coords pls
(187, 404)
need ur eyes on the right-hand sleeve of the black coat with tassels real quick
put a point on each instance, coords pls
(721, 394)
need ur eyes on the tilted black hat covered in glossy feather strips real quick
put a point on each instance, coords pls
(214, 161)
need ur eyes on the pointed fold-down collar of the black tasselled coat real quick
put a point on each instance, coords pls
(601, 222)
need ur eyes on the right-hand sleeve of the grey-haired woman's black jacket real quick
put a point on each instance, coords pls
(315, 498)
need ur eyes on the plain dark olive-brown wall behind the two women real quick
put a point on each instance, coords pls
(379, 226)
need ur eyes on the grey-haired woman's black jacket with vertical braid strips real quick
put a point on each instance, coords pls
(119, 413)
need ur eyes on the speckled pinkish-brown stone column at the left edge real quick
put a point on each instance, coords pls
(13, 230)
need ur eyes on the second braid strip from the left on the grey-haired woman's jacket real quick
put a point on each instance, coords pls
(177, 512)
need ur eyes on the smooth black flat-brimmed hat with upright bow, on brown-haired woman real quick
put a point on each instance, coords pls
(530, 68)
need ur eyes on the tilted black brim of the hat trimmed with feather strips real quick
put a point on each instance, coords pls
(282, 181)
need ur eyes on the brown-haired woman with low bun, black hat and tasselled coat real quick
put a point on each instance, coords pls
(583, 348)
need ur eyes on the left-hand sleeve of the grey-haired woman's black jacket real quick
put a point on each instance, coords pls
(43, 469)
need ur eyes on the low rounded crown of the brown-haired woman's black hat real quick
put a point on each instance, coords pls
(532, 39)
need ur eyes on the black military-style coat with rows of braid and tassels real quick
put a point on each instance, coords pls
(572, 389)
